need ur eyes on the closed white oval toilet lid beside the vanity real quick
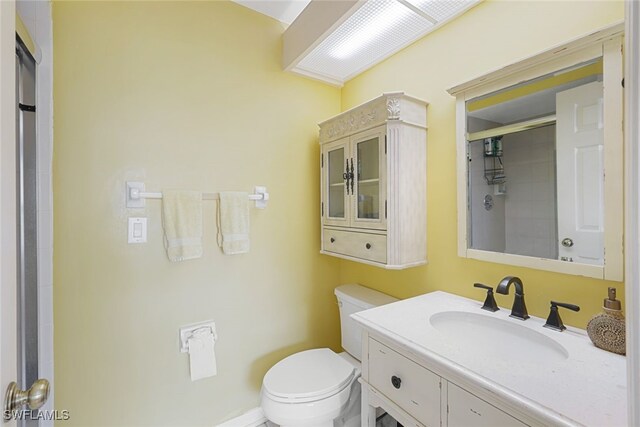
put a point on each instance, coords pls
(309, 374)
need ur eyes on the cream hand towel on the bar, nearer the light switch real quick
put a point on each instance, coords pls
(182, 223)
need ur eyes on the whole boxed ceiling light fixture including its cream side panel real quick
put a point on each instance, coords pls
(335, 41)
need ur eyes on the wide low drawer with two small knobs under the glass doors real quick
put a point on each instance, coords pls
(372, 247)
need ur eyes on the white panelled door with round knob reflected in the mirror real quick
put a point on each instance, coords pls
(580, 174)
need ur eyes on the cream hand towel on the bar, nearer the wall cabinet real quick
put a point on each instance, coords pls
(233, 222)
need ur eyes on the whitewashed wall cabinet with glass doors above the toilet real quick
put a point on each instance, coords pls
(373, 182)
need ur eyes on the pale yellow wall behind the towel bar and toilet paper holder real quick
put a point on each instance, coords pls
(180, 95)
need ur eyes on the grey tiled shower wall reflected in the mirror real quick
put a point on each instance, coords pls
(523, 220)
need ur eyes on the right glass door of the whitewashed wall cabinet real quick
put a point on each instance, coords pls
(369, 191)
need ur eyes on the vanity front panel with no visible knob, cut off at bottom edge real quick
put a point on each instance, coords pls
(465, 409)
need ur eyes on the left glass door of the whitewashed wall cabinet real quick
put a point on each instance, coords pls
(336, 208)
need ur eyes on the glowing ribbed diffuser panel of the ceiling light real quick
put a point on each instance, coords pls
(377, 30)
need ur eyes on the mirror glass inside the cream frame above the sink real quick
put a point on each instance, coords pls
(535, 175)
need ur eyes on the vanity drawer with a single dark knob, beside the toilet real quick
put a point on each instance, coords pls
(412, 387)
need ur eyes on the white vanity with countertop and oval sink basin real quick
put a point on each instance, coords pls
(440, 360)
